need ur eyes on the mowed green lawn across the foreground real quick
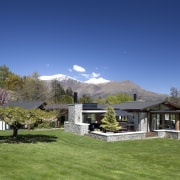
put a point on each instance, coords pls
(57, 155)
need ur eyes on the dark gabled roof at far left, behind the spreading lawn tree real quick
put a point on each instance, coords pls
(25, 104)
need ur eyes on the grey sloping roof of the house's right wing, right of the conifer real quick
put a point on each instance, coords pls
(136, 105)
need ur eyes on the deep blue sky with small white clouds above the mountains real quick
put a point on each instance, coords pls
(136, 40)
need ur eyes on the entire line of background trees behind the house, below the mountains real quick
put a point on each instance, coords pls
(30, 88)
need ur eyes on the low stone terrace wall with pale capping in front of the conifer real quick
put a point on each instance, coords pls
(110, 137)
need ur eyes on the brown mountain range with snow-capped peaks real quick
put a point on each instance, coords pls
(104, 88)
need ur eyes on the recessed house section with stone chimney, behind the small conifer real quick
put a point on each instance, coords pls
(86, 117)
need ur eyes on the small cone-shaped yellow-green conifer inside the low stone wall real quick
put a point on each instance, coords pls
(109, 122)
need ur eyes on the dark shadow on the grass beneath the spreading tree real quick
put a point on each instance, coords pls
(28, 138)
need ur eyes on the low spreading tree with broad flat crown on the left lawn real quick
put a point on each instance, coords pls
(16, 116)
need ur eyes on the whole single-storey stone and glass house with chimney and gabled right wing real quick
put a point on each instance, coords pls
(136, 115)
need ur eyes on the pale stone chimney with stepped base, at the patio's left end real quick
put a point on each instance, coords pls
(74, 123)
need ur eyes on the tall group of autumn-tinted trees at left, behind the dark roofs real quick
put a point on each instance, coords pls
(30, 88)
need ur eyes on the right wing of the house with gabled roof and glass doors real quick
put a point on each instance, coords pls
(150, 116)
